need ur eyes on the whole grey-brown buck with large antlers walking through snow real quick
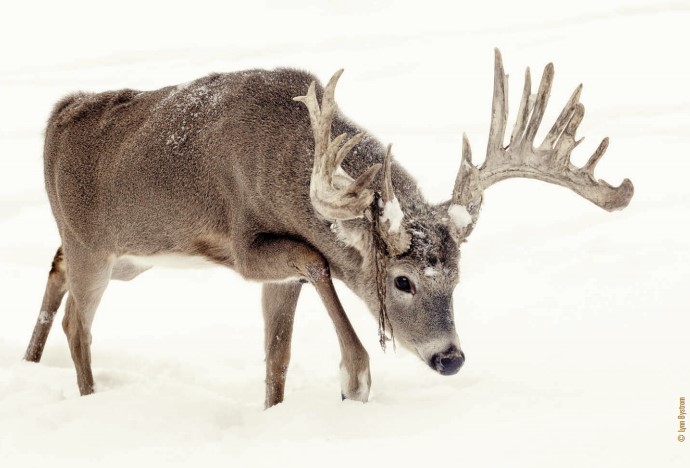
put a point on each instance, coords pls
(230, 169)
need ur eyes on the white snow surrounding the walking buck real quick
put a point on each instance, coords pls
(575, 322)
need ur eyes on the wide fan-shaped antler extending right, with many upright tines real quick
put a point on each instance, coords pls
(549, 162)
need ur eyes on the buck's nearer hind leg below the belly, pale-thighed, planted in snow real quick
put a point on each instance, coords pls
(88, 275)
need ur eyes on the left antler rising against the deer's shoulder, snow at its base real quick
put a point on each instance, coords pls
(334, 194)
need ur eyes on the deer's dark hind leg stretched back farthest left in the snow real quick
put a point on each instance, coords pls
(52, 297)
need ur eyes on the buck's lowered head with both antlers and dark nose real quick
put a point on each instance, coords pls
(410, 250)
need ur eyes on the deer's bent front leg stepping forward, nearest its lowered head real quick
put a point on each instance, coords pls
(272, 259)
